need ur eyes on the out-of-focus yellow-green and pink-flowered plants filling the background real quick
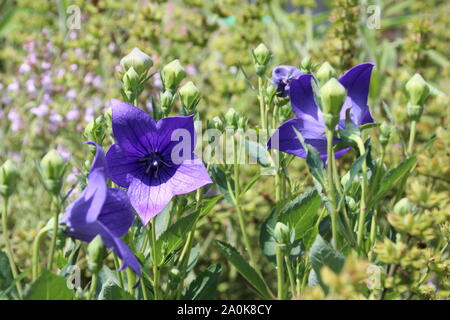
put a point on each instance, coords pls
(56, 79)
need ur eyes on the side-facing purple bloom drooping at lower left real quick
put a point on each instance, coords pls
(103, 211)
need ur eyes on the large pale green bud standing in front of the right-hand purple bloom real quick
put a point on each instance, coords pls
(332, 95)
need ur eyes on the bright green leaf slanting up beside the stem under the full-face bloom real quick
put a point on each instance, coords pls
(173, 237)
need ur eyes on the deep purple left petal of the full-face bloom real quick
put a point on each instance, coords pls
(123, 166)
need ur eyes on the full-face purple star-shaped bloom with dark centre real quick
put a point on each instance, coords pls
(155, 161)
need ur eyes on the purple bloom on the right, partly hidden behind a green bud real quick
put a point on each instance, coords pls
(309, 121)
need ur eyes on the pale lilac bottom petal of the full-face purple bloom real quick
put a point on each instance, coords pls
(149, 195)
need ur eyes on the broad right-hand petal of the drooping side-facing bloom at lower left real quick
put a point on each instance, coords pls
(117, 214)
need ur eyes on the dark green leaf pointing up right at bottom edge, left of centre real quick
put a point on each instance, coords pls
(204, 286)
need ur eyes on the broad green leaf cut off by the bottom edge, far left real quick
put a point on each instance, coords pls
(49, 287)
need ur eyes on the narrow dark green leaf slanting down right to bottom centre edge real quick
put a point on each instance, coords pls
(245, 269)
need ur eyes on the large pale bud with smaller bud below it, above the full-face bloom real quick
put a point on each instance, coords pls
(135, 68)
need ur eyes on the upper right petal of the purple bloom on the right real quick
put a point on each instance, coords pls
(357, 83)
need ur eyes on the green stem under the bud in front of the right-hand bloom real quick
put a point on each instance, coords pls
(332, 196)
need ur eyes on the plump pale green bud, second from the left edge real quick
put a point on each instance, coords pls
(52, 170)
